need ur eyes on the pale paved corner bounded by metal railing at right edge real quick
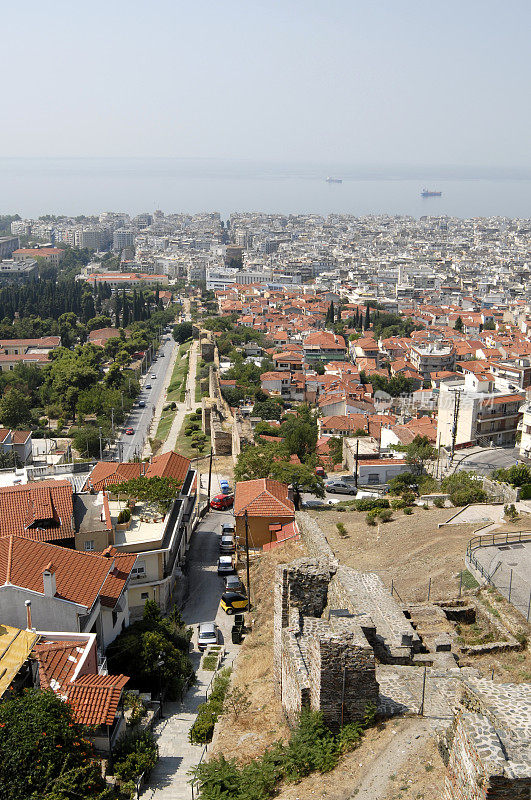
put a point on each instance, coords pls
(510, 577)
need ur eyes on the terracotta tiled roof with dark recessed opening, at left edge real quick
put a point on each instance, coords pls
(42, 511)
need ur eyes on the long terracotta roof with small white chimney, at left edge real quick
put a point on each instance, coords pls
(80, 577)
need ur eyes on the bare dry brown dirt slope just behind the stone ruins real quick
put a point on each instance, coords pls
(409, 550)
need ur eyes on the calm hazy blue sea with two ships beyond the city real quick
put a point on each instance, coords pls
(32, 187)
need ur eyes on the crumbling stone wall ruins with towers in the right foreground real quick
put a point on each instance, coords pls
(342, 643)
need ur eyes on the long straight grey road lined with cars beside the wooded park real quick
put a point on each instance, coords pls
(128, 447)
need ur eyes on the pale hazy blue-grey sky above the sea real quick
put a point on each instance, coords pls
(351, 81)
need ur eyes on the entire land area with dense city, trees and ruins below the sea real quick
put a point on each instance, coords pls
(265, 478)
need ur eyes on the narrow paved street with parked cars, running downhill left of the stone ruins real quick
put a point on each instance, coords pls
(169, 779)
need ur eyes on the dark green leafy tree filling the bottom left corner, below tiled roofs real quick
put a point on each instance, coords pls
(43, 751)
